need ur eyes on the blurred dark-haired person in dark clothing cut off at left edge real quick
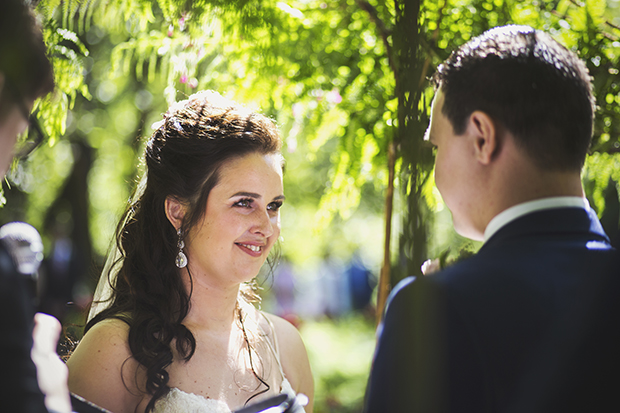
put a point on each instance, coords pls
(32, 377)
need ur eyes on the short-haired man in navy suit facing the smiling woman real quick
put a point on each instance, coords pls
(511, 123)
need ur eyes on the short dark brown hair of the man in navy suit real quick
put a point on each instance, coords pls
(529, 83)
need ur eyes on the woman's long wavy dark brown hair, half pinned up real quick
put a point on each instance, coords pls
(183, 157)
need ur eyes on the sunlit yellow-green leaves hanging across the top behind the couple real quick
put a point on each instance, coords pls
(322, 69)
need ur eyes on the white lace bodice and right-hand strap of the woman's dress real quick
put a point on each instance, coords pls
(178, 401)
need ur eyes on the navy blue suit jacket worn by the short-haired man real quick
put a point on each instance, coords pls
(469, 338)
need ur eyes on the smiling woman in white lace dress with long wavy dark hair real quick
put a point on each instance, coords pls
(176, 330)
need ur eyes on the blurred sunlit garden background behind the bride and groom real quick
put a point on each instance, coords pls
(347, 83)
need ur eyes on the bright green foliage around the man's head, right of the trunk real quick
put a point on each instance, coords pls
(585, 27)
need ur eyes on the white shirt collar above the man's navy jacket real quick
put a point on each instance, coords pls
(519, 210)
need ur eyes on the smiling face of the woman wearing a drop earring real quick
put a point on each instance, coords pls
(241, 223)
